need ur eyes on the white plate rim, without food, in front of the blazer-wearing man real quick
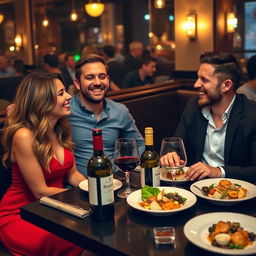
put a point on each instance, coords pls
(251, 191)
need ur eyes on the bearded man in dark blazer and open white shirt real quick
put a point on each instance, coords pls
(218, 127)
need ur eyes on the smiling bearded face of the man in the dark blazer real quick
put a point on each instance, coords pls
(208, 86)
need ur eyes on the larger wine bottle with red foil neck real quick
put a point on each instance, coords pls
(100, 180)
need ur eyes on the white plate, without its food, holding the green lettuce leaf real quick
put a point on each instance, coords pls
(135, 197)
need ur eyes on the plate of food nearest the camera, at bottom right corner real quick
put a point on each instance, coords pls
(223, 232)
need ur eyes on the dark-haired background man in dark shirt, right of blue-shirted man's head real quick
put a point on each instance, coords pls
(142, 76)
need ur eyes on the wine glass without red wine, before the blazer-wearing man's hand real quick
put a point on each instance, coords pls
(175, 146)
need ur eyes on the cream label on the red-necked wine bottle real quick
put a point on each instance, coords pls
(101, 190)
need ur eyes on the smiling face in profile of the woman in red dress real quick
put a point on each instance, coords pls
(62, 107)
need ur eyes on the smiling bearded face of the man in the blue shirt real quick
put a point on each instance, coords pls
(94, 82)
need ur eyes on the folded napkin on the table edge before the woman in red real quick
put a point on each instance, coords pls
(68, 208)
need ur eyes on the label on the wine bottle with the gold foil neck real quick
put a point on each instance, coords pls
(150, 176)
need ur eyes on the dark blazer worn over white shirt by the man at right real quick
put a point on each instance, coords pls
(240, 140)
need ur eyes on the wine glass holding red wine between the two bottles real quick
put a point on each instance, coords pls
(126, 158)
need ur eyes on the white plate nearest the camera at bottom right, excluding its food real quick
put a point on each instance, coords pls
(196, 231)
